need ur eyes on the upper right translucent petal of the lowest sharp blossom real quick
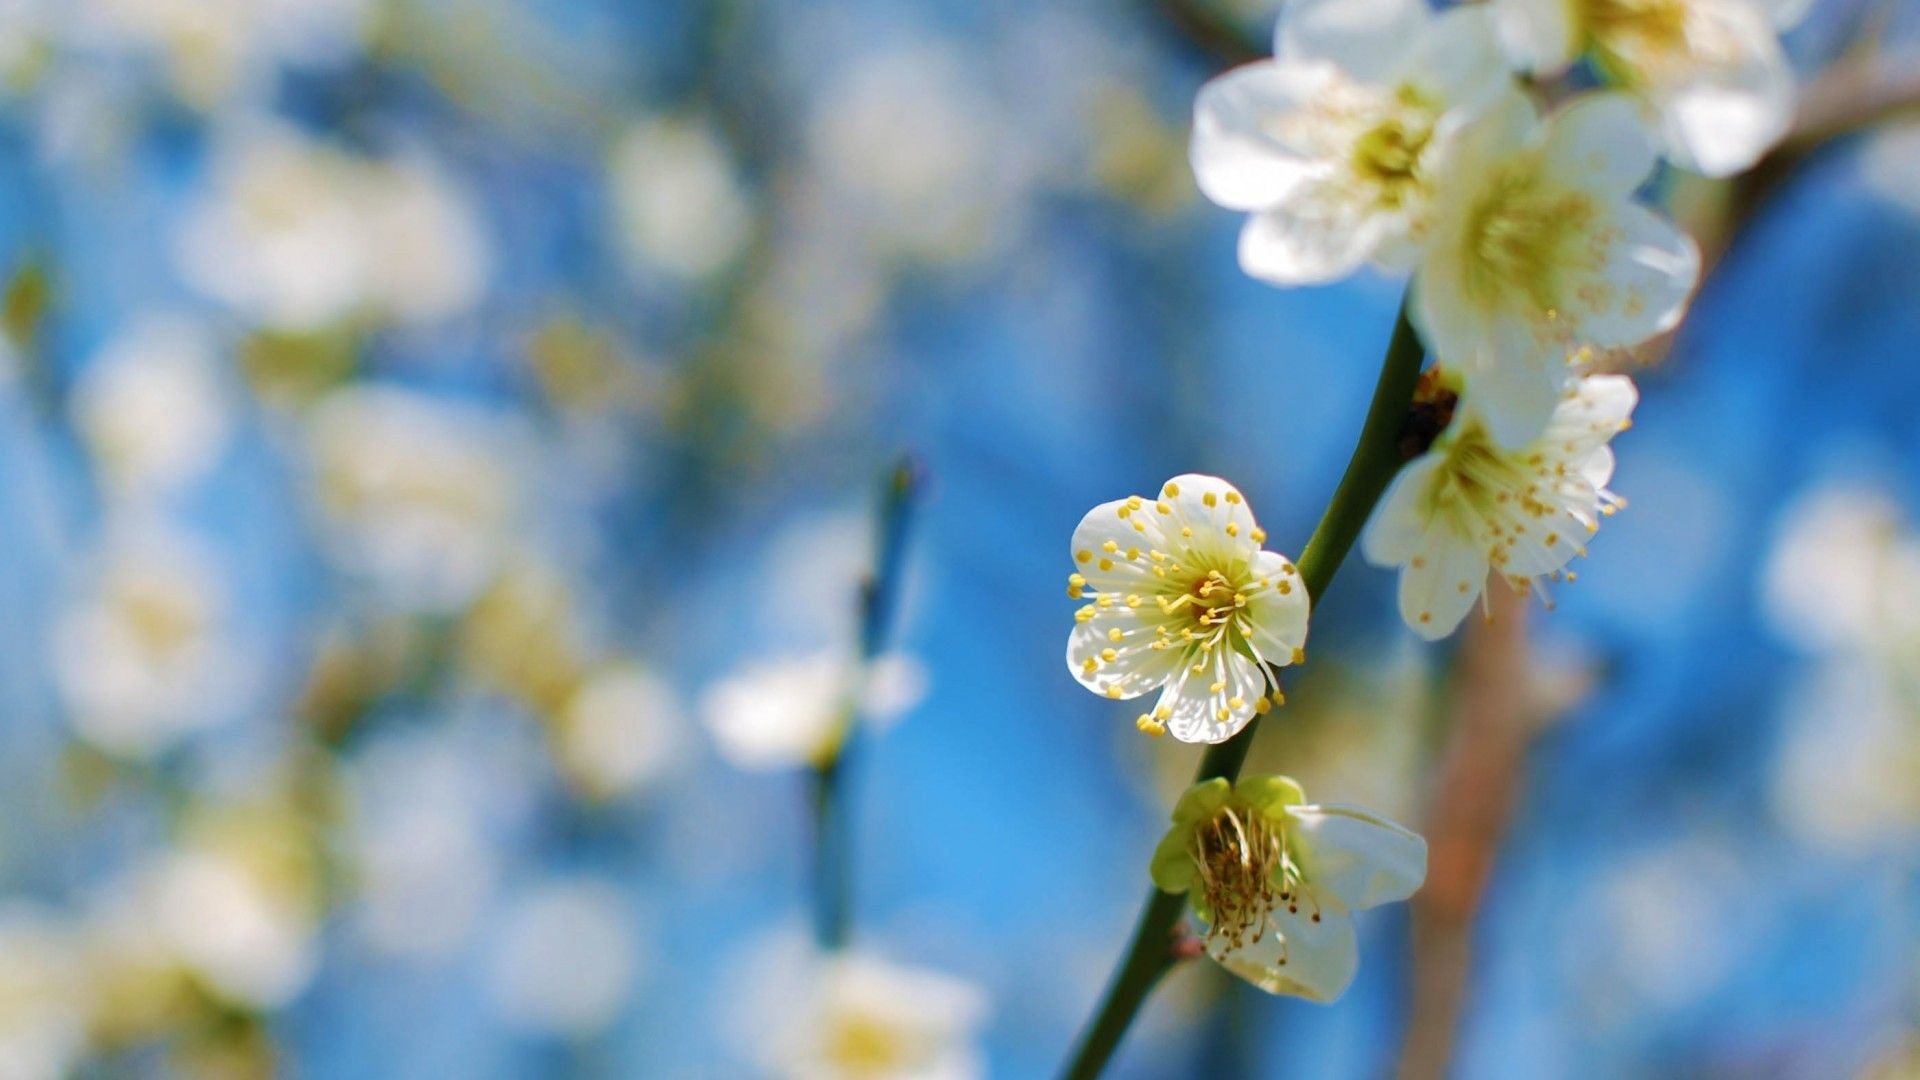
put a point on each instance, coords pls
(1356, 856)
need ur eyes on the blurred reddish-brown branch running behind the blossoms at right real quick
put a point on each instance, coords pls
(1493, 716)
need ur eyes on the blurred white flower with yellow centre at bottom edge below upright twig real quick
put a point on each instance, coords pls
(861, 1018)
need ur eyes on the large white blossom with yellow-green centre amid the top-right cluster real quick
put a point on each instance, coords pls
(1539, 253)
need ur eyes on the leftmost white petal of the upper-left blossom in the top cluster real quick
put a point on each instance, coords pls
(1236, 157)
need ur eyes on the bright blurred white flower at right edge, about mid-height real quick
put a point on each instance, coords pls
(1833, 570)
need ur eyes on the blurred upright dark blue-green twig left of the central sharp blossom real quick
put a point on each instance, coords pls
(880, 601)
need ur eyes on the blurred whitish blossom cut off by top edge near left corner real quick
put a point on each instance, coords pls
(218, 49)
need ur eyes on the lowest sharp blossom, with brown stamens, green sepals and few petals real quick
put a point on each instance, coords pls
(1278, 881)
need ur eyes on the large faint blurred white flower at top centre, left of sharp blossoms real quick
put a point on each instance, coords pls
(913, 157)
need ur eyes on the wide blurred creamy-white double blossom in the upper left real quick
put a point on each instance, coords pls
(300, 235)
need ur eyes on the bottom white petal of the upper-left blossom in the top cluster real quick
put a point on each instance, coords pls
(1316, 235)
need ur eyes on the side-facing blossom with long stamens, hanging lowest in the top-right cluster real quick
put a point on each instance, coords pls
(1470, 506)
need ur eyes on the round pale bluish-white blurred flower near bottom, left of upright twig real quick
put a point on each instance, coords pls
(567, 960)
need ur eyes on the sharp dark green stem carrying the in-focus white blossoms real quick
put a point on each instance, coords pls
(1378, 458)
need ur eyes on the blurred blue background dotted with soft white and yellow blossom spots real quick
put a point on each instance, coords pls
(423, 424)
